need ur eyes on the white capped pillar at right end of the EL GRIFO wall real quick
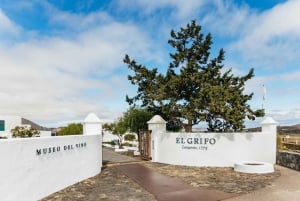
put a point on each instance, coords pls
(269, 126)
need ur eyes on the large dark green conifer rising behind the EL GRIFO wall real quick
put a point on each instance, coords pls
(195, 87)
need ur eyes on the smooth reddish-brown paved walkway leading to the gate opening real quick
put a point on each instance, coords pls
(165, 188)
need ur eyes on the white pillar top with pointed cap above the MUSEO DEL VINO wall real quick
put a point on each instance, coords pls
(92, 125)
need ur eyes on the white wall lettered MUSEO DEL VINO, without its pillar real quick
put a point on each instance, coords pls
(33, 168)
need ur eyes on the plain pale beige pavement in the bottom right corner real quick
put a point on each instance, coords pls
(285, 188)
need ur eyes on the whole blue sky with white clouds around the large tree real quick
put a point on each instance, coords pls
(61, 59)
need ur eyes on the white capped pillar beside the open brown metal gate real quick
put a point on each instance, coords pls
(157, 125)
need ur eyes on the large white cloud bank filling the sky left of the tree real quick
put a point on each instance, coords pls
(55, 78)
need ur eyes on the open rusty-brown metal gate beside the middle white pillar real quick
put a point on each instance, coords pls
(145, 144)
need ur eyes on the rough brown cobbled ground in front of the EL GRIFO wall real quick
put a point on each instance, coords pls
(222, 179)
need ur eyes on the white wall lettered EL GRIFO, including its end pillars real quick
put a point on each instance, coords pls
(212, 149)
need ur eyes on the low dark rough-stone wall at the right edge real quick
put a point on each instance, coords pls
(289, 159)
